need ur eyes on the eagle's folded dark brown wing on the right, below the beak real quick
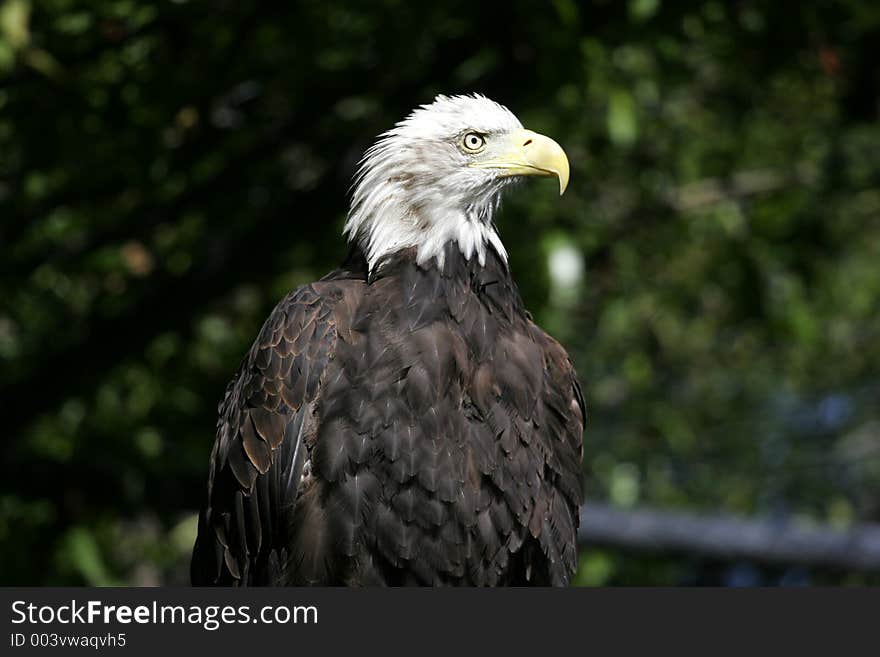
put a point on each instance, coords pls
(539, 424)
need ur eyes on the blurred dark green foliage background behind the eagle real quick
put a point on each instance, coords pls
(169, 170)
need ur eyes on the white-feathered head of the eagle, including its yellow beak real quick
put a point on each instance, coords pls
(436, 177)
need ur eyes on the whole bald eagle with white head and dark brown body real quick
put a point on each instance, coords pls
(403, 420)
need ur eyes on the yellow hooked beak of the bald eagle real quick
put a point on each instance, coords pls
(527, 153)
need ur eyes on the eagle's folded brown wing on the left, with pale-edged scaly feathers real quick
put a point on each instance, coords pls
(266, 428)
